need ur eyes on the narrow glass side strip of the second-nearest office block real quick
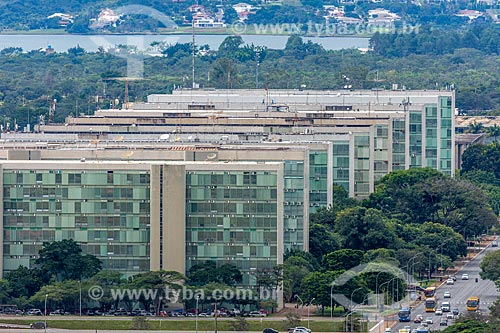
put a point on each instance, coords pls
(318, 179)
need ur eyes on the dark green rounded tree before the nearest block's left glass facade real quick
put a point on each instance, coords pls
(64, 260)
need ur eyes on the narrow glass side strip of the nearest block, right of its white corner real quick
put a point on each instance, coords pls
(293, 209)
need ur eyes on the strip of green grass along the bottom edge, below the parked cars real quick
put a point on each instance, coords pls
(172, 324)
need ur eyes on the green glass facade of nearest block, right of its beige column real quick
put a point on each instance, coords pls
(231, 217)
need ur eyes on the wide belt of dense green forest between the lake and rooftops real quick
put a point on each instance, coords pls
(81, 81)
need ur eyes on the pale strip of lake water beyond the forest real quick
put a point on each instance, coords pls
(61, 43)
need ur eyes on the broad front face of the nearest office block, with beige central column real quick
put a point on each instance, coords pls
(140, 216)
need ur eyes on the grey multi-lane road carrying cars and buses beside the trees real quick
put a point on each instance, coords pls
(460, 292)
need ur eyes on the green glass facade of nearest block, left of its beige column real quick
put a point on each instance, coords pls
(106, 211)
